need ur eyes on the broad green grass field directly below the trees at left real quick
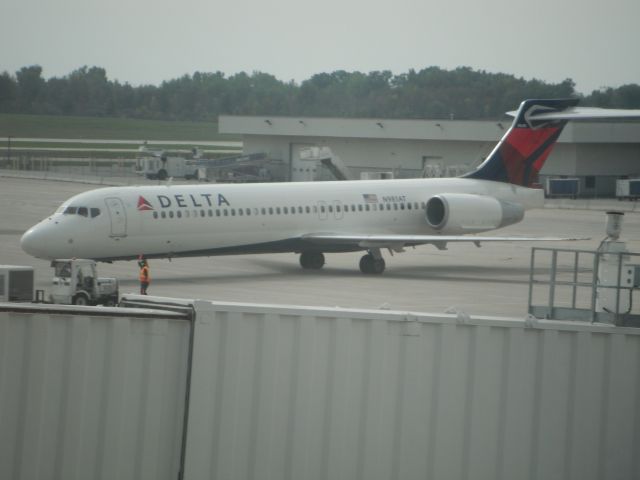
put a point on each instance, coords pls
(50, 126)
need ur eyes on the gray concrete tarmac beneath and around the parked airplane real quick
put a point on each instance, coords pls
(491, 280)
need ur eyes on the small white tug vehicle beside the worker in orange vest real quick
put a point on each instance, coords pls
(75, 281)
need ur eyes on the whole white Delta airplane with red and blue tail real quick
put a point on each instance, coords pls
(314, 218)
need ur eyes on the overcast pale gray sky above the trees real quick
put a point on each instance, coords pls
(594, 42)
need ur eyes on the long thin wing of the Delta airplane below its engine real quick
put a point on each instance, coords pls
(397, 242)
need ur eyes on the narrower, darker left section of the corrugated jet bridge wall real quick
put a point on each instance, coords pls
(88, 396)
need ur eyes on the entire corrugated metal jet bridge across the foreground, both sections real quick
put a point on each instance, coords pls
(302, 393)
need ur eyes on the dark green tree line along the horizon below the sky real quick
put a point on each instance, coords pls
(462, 93)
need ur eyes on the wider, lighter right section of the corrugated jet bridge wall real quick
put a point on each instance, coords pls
(281, 393)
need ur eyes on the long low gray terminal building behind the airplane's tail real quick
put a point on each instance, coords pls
(592, 154)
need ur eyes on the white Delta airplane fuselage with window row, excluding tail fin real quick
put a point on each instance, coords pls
(121, 223)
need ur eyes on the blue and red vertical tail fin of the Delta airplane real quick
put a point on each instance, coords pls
(521, 153)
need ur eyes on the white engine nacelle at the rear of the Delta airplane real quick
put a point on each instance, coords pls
(457, 213)
